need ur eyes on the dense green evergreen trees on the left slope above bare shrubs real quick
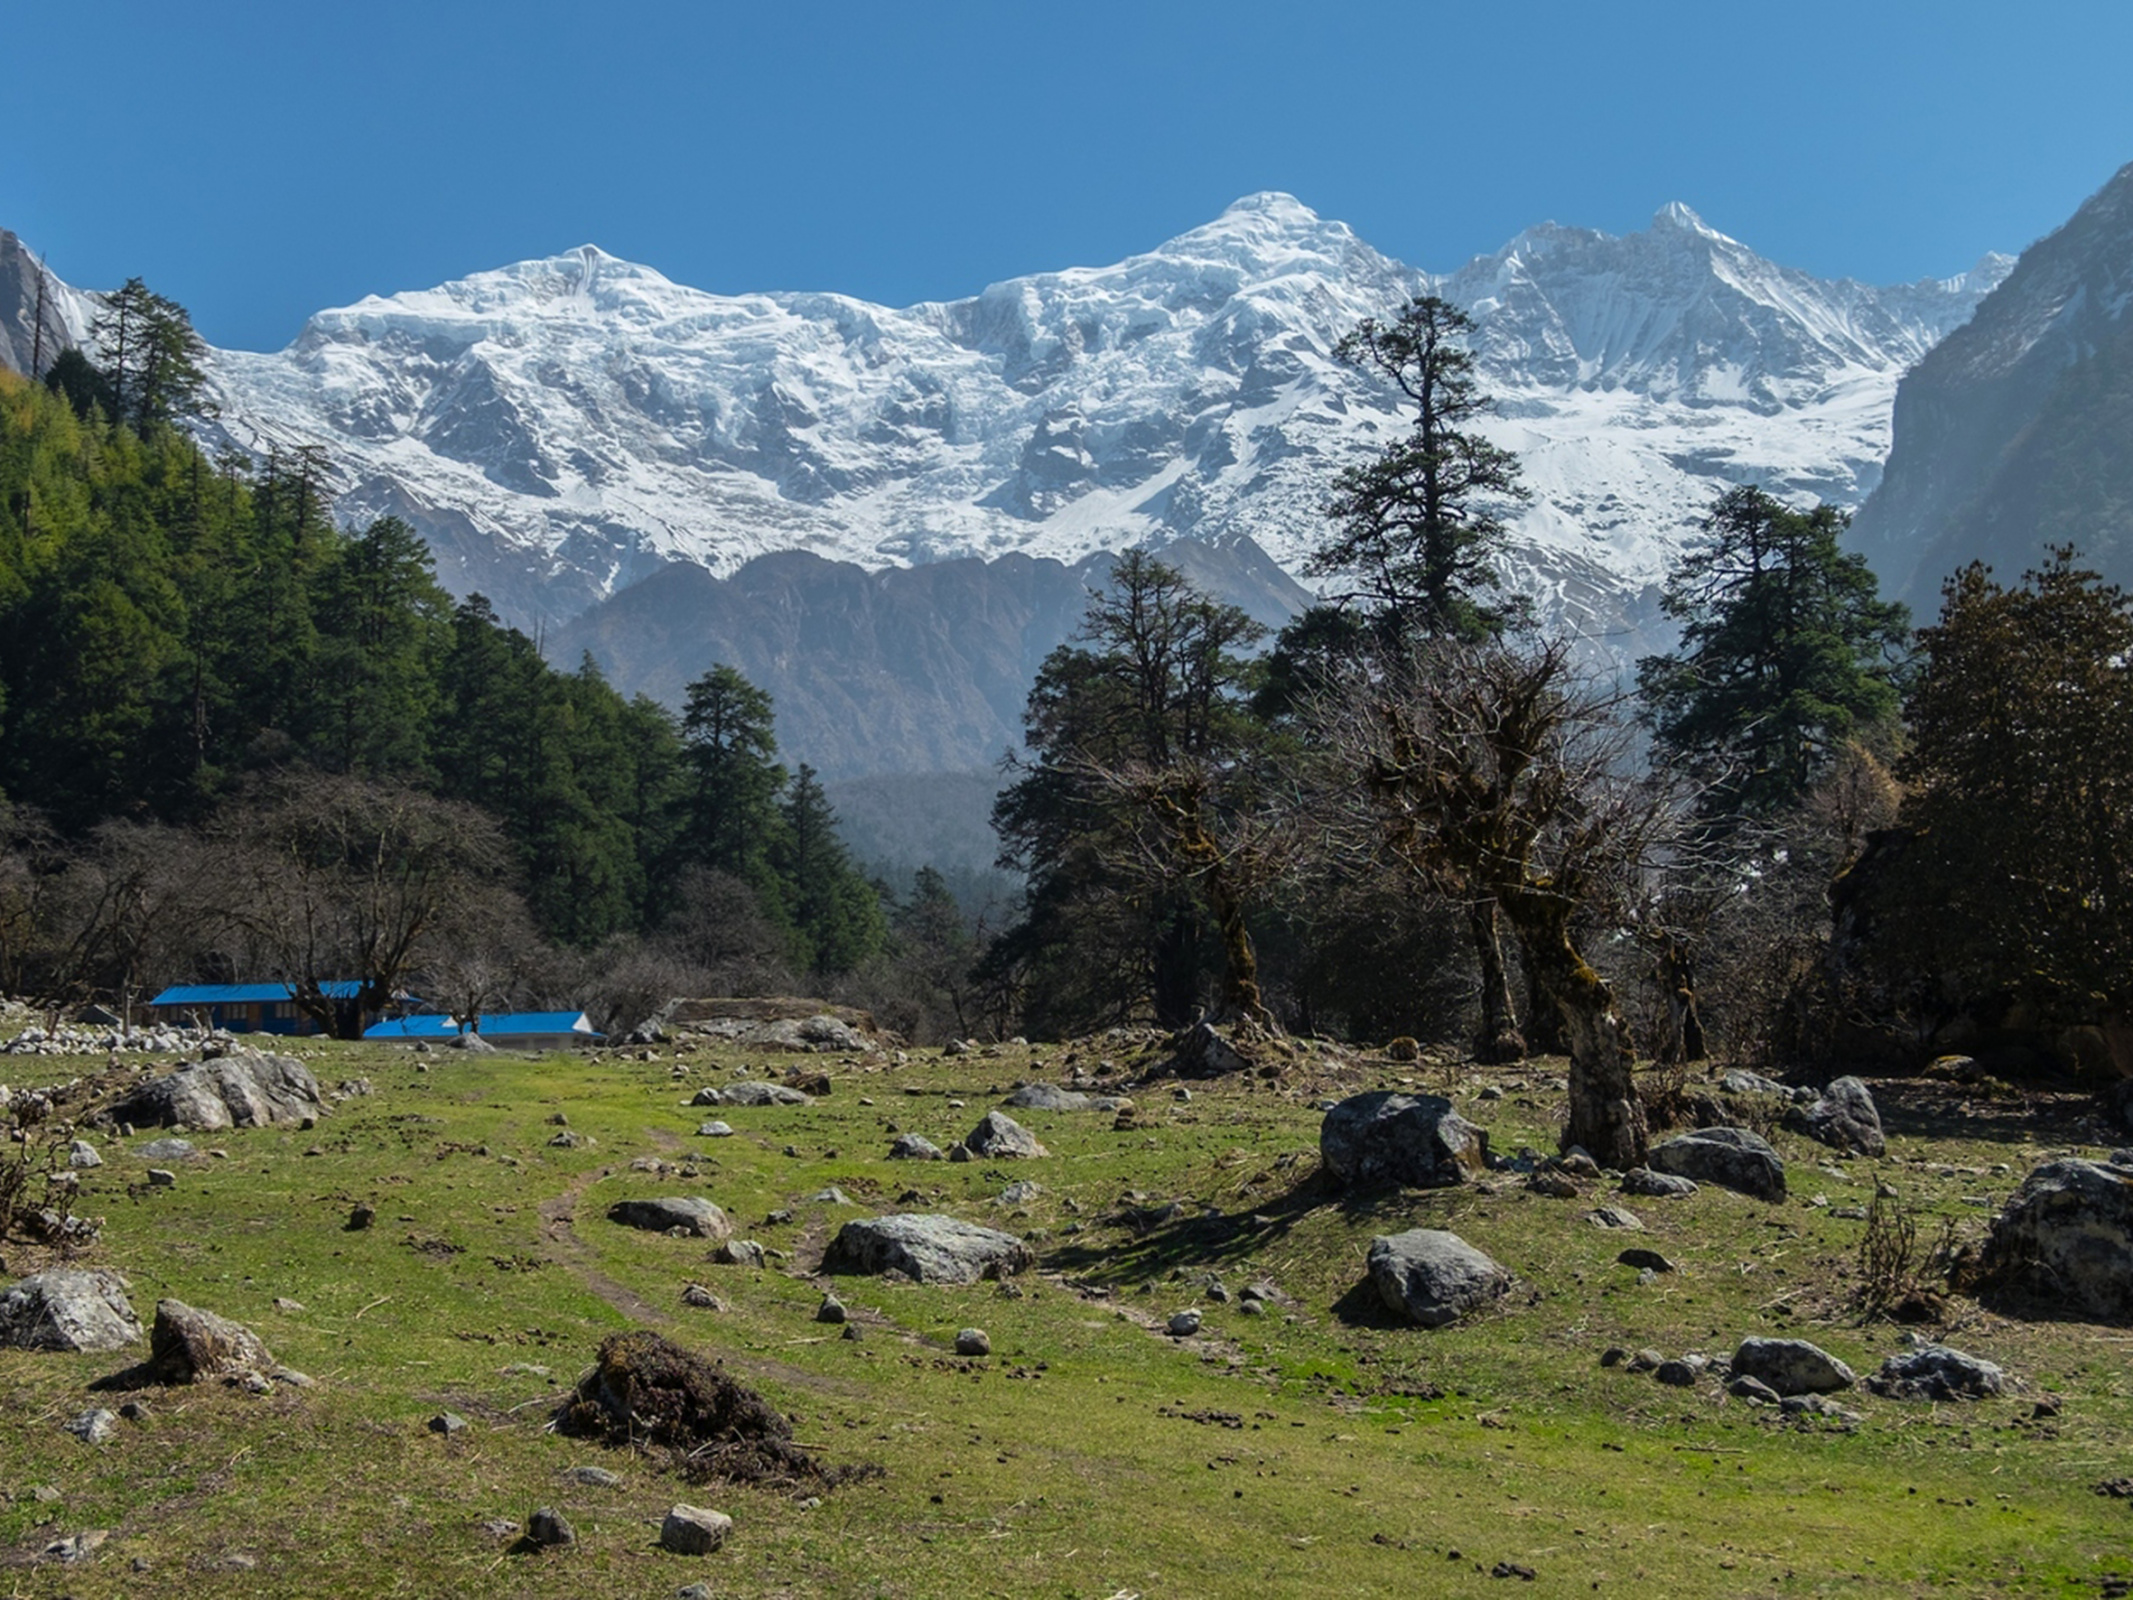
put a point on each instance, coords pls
(180, 639)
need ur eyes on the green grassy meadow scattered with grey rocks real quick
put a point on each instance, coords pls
(1321, 1450)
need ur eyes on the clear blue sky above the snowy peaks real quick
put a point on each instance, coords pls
(268, 159)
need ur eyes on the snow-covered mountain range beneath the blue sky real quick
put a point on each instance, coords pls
(571, 426)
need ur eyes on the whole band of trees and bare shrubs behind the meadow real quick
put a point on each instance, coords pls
(240, 741)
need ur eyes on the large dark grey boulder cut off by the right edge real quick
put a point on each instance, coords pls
(2068, 1236)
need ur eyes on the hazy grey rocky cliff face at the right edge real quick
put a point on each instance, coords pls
(2012, 434)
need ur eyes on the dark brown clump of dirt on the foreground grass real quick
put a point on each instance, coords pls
(690, 1418)
